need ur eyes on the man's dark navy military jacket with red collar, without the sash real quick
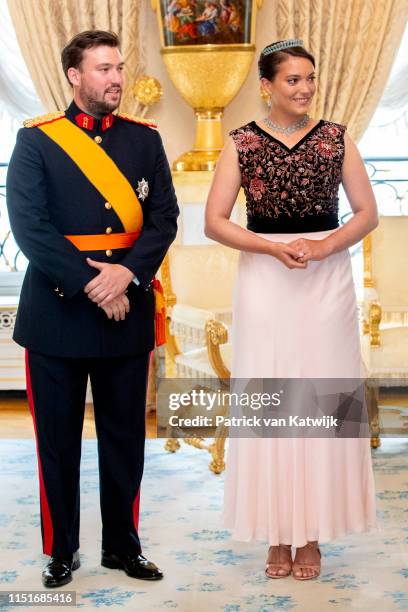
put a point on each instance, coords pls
(49, 197)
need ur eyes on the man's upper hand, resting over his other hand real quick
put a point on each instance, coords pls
(111, 282)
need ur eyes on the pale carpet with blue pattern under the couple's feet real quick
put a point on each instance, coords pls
(181, 531)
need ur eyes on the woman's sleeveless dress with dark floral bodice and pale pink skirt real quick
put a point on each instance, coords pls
(295, 323)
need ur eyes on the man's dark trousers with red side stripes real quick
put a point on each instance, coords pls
(56, 389)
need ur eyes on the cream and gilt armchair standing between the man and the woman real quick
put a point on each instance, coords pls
(198, 282)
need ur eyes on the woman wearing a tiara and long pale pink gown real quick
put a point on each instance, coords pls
(294, 312)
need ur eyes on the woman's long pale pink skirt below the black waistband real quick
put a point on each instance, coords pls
(297, 324)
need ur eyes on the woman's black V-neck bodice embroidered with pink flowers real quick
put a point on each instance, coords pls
(291, 189)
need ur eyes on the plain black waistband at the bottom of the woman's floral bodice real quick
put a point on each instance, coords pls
(292, 225)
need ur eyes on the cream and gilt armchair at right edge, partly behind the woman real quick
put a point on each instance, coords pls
(385, 312)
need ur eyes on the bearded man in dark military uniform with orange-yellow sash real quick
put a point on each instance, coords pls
(92, 206)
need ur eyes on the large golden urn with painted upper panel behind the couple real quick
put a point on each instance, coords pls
(207, 48)
